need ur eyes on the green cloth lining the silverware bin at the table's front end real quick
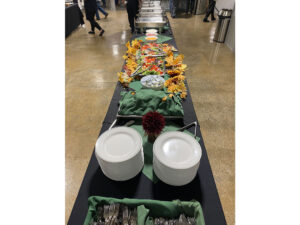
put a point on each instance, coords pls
(148, 209)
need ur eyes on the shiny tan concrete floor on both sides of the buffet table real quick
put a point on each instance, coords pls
(92, 64)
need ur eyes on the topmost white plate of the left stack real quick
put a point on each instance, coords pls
(118, 144)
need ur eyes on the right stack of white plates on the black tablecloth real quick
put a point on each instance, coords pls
(176, 158)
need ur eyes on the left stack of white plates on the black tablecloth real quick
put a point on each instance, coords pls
(119, 152)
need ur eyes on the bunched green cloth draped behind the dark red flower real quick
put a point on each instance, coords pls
(146, 100)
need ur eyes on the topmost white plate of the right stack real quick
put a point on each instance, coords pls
(177, 150)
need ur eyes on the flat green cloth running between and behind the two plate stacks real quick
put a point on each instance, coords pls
(148, 148)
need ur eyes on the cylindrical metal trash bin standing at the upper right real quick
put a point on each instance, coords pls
(223, 24)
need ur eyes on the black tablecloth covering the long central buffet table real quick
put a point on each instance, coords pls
(202, 188)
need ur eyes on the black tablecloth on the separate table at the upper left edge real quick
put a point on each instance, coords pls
(72, 19)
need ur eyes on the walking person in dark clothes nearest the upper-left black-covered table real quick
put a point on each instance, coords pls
(90, 7)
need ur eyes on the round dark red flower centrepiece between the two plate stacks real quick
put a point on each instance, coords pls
(153, 124)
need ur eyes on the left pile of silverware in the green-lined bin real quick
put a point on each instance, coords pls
(115, 214)
